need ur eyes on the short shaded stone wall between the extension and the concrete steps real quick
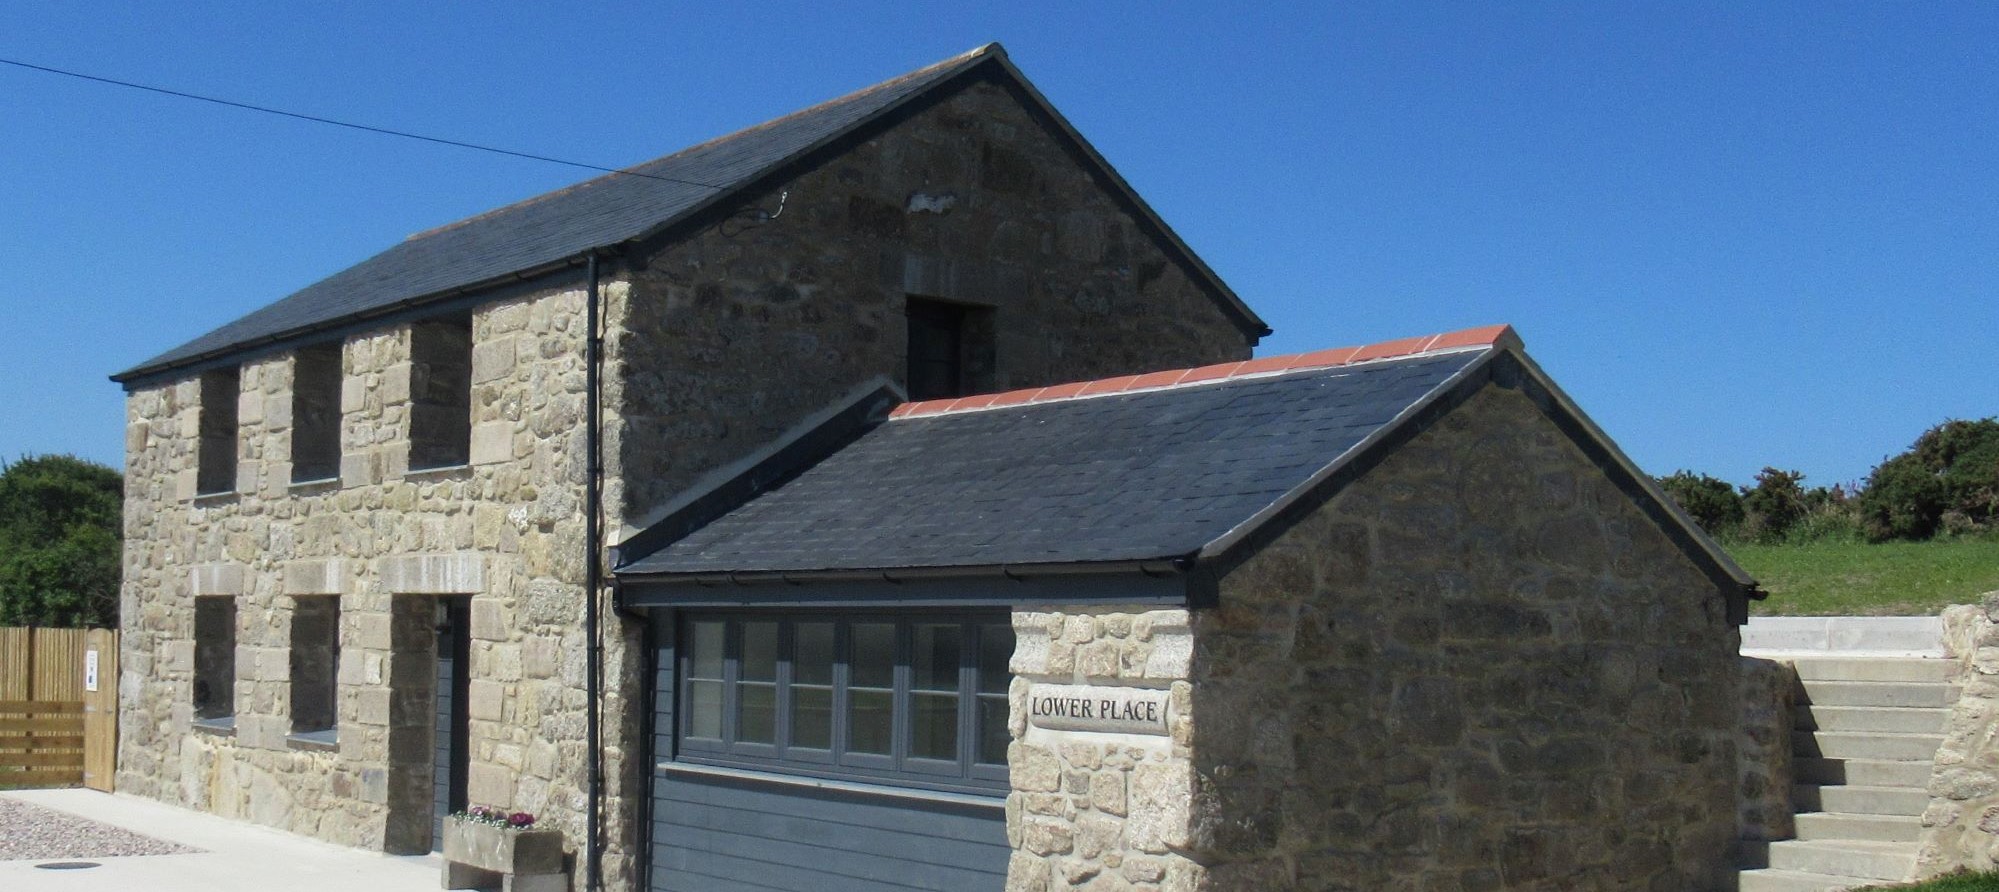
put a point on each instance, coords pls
(1764, 751)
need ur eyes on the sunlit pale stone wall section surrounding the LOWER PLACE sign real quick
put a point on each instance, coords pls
(1100, 811)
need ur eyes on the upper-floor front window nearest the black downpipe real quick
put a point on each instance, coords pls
(441, 393)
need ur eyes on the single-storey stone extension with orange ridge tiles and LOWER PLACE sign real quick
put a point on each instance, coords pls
(1368, 619)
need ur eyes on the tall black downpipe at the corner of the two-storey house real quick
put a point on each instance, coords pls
(595, 583)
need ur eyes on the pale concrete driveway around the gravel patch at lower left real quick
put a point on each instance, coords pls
(233, 857)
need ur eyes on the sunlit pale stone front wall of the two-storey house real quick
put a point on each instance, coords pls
(505, 531)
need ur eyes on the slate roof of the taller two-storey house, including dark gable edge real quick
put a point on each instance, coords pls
(601, 213)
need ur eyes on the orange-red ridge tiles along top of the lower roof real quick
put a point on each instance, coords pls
(1400, 349)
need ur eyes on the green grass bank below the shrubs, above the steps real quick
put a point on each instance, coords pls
(1856, 579)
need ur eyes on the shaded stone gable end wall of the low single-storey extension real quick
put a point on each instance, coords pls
(1478, 667)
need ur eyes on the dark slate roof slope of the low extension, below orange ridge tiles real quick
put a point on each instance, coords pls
(1128, 477)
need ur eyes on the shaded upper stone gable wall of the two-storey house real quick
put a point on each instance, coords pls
(741, 331)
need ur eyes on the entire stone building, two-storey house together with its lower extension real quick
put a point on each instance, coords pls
(593, 507)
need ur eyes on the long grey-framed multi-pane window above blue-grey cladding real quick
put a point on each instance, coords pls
(911, 699)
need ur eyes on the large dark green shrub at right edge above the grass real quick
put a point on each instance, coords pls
(1946, 483)
